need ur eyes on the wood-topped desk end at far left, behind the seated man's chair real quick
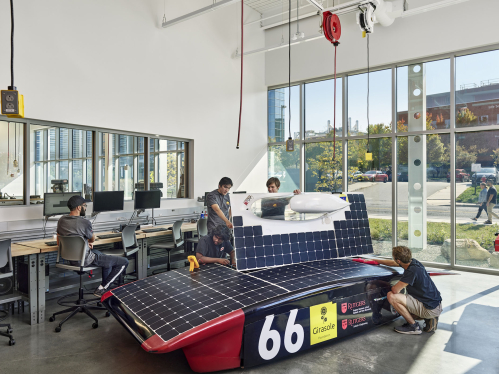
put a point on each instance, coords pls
(32, 297)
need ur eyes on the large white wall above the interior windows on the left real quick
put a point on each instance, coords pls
(110, 64)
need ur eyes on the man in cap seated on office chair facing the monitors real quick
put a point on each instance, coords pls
(75, 224)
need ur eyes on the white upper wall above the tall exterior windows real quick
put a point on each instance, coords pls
(458, 27)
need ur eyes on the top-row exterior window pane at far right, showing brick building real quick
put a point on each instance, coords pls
(477, 89)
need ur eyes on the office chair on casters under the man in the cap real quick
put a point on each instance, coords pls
(74, 248)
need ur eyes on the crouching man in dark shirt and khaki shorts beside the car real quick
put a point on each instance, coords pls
(423, 300)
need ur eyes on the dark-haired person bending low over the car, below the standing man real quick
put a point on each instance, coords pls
(214, 247)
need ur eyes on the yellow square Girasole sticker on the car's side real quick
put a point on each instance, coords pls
(323, 323)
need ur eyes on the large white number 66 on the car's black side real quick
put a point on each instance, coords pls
(268, 334)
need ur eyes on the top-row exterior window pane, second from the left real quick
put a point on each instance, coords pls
(319, 109)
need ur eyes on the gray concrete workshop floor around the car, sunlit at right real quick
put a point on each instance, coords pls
(467, 341)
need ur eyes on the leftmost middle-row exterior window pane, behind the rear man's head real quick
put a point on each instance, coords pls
(285, 166)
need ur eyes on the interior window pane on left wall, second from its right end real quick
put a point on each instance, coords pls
(119, 162)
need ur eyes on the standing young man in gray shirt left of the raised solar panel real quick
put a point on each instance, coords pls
(218, 203)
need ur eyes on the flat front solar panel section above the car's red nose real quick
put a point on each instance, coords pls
(176, 301)
